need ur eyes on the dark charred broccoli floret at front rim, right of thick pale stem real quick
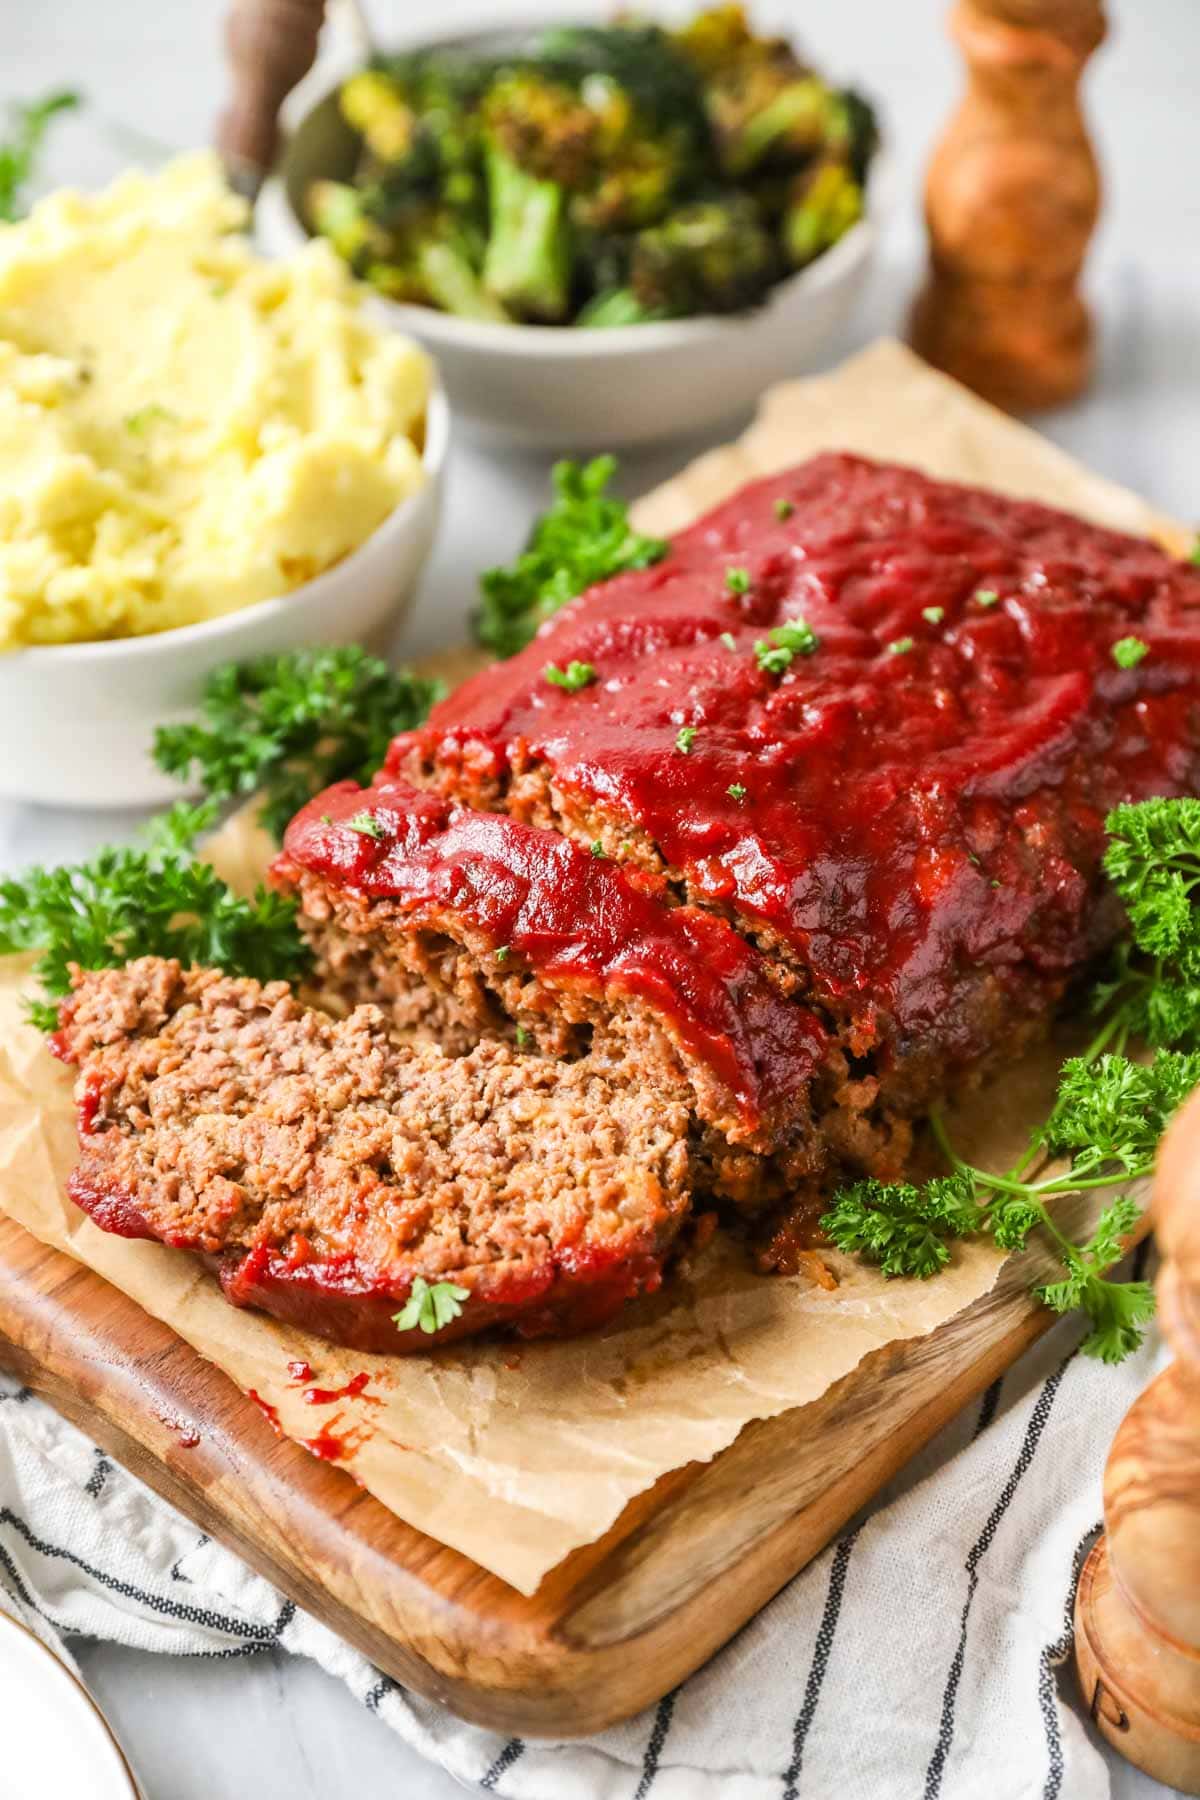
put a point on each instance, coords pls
(715, 256)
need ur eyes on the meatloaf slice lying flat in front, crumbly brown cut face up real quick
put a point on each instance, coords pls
(319, 1165)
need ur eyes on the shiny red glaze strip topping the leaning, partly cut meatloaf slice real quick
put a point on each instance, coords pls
(575, 917)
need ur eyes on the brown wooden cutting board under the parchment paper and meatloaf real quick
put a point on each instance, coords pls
(614, 1626)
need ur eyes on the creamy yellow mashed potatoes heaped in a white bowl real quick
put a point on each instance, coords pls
(184, 429)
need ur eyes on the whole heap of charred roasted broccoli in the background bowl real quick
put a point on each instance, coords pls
(596, 174)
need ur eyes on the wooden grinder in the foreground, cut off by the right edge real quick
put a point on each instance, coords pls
(1138, 1610)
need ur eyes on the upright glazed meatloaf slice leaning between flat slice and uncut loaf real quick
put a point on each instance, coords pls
(474, 926)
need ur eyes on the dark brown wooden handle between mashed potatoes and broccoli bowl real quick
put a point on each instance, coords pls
(271, 46)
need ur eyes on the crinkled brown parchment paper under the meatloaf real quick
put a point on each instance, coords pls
(517, 1455)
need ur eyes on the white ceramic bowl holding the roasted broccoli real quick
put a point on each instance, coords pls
(564, 390)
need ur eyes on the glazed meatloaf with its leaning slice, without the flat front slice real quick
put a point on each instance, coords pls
(807, 820)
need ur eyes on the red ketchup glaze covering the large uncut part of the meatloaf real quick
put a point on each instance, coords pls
(906, 814)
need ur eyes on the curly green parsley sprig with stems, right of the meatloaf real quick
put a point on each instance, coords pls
(1109, 1113)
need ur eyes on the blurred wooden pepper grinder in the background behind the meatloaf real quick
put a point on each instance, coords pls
(1012, 201)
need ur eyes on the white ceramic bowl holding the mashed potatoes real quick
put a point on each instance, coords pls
(78, 721)
